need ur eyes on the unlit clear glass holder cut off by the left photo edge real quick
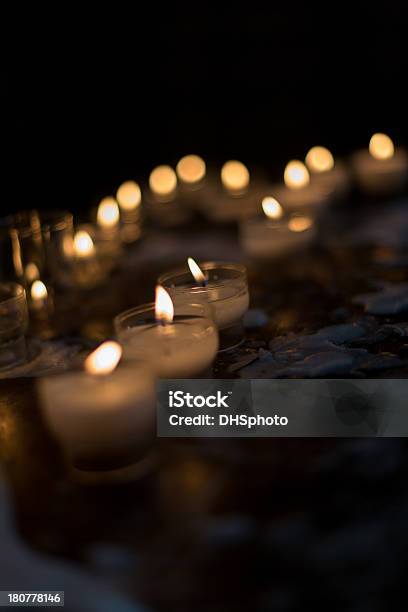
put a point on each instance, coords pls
(13, 325)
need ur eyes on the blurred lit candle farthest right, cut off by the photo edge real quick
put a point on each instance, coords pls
(381, 169)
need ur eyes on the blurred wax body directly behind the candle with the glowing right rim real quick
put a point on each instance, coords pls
(310, 197)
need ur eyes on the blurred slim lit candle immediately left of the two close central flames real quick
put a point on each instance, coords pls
(129, 198)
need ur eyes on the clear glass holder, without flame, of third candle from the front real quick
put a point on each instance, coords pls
(225, 290)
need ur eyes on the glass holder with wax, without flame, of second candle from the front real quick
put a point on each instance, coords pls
(184, 348)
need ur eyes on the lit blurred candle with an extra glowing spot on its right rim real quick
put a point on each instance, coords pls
(275, 234)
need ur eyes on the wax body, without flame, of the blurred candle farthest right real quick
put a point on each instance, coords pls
(380, 175)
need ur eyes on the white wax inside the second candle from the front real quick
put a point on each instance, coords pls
(185, 348)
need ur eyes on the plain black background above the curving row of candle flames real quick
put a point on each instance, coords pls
(93, 100)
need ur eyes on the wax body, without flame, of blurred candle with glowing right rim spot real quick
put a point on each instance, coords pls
(265, 239)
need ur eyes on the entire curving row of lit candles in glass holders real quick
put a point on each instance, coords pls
(108, 406)
